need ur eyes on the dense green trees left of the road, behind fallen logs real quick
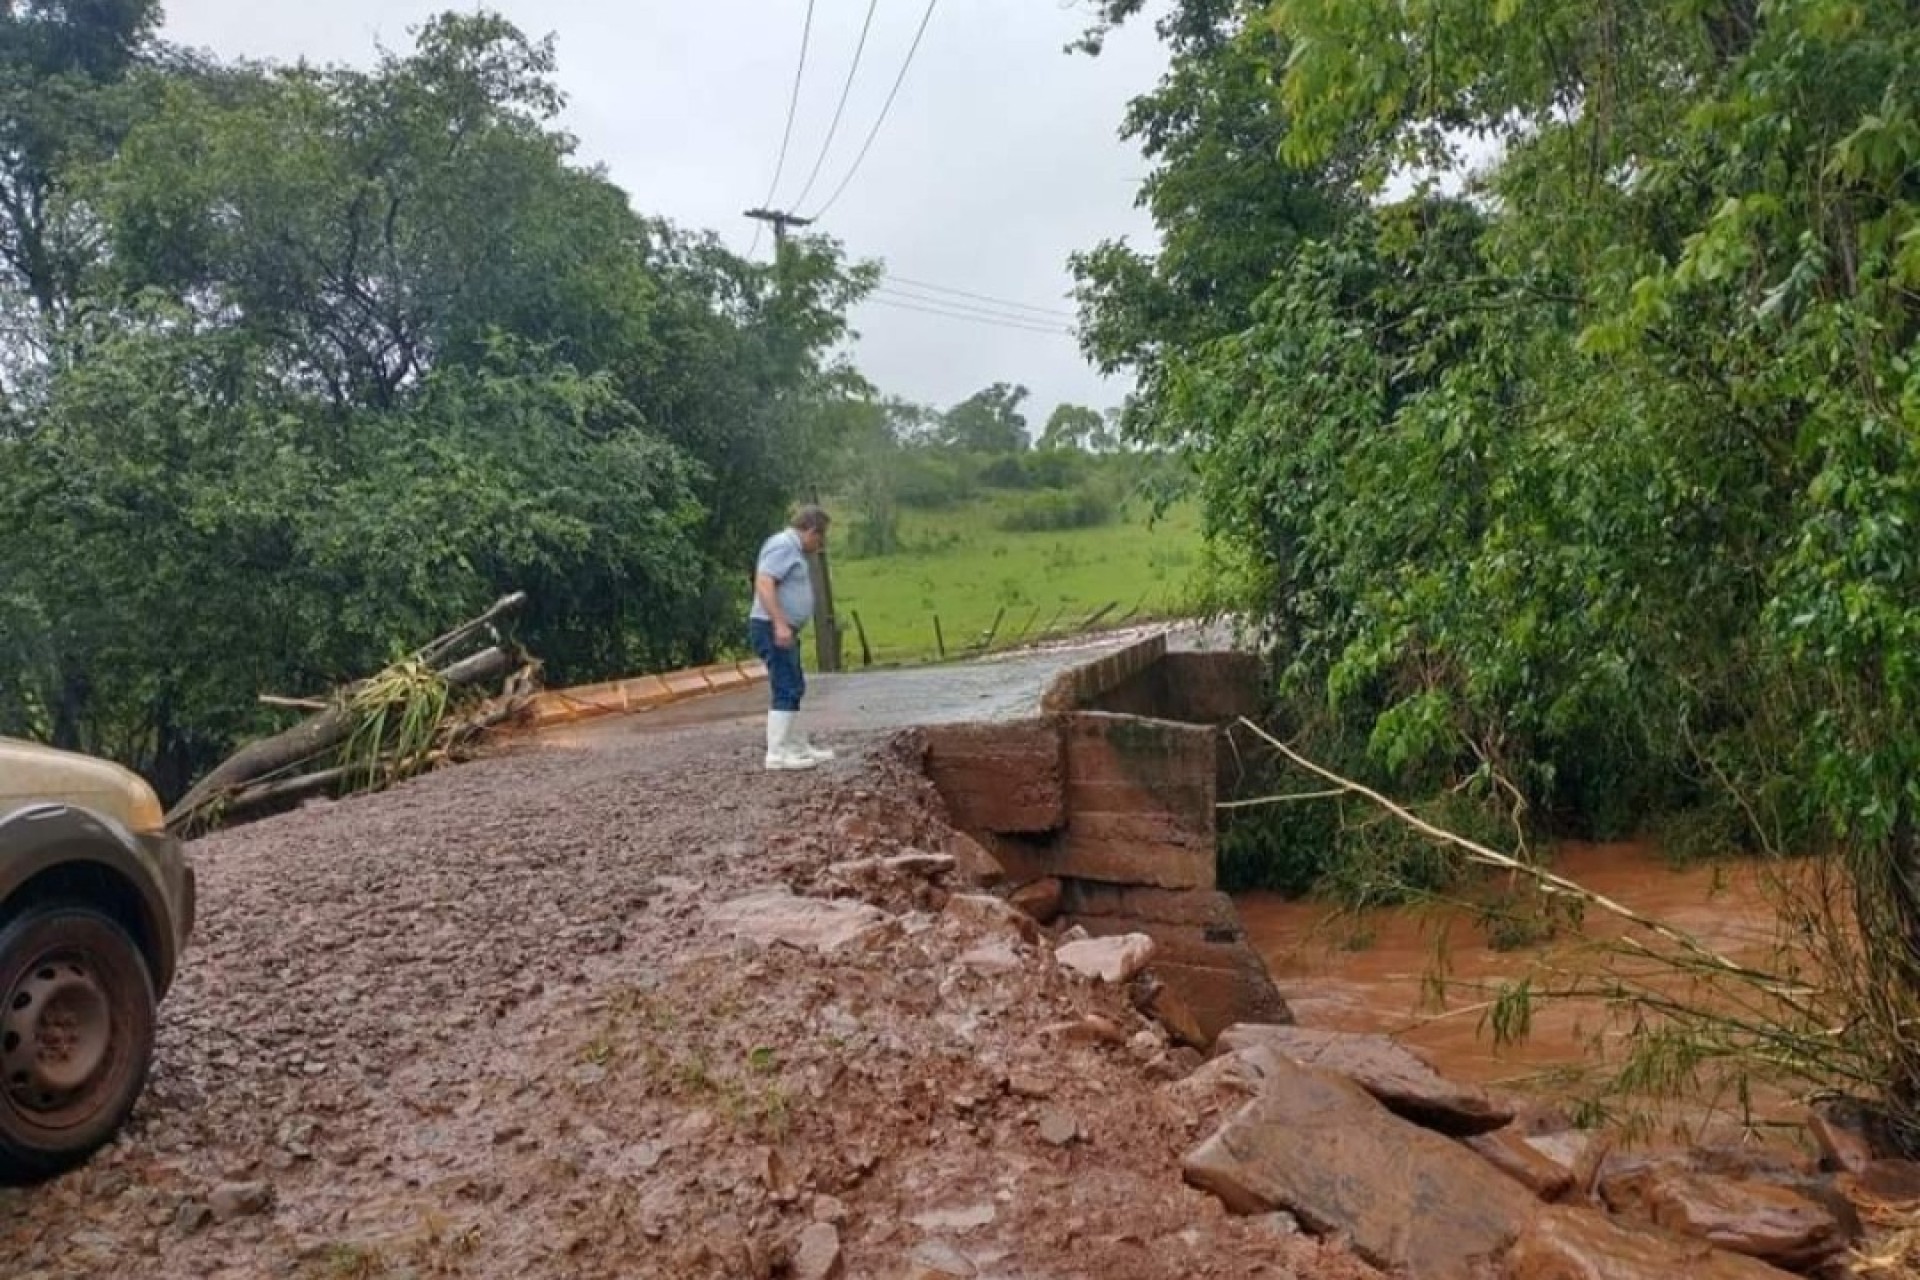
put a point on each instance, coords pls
(302, 366)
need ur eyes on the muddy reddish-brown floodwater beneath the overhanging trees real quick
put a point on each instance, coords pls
(1372, 970)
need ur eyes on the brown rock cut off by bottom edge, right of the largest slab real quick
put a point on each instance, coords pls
(1583, 1244)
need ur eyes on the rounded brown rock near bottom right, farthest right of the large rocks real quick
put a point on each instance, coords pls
(1758, 1220)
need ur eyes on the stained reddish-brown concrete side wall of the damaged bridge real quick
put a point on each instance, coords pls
(1113, 794)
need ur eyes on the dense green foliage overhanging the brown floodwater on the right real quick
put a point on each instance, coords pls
(1600, 481)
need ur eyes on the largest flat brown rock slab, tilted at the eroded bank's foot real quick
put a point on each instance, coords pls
(1322, 1149)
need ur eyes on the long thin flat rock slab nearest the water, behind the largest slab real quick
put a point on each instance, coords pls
(1387, 1070)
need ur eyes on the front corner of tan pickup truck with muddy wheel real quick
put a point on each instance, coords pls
(97, 903)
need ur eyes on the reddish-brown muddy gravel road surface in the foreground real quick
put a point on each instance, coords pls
(487, 1026)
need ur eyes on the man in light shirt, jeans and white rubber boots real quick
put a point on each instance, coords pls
(782, 605)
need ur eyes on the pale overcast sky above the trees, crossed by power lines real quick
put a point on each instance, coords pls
(999, 158)
